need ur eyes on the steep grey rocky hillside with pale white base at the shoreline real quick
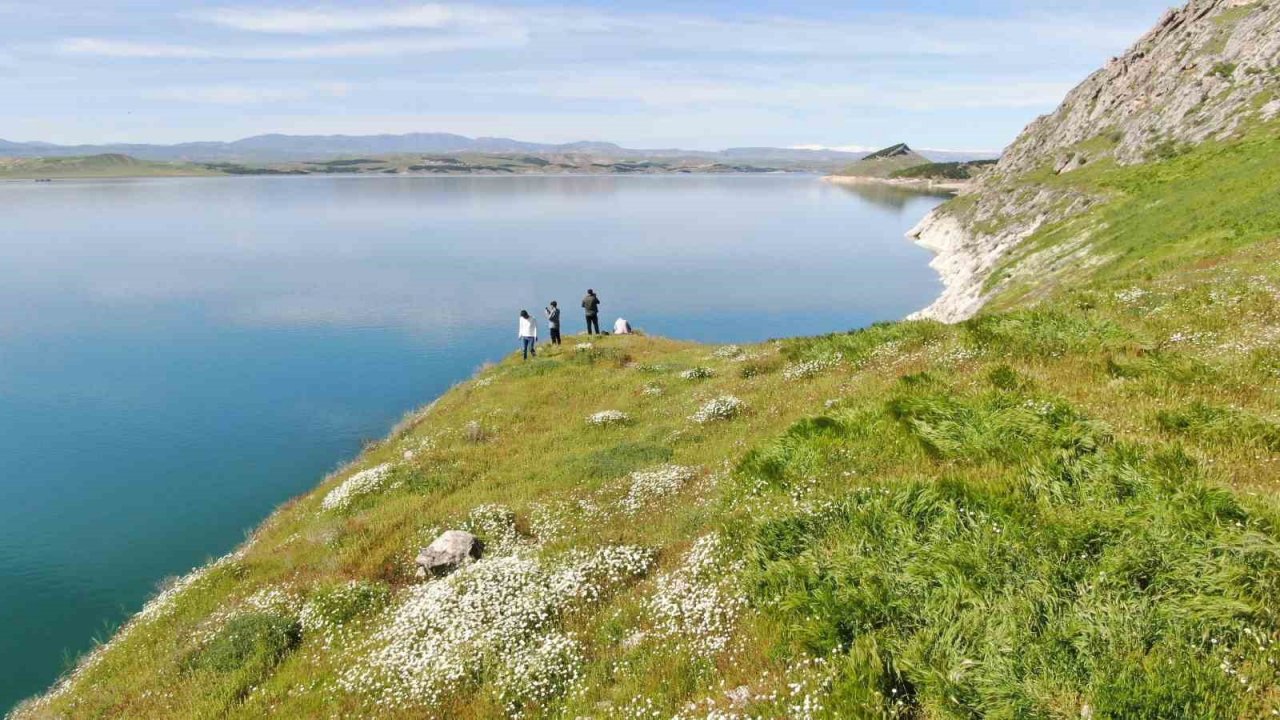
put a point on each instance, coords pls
(1204, 72)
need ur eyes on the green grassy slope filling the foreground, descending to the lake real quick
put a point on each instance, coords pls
(1067, 508)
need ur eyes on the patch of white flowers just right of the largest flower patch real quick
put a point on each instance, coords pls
(698, 603)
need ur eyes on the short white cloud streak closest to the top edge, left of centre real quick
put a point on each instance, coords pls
(326, 21)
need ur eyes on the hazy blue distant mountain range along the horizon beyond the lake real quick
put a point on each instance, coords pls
(286, 148)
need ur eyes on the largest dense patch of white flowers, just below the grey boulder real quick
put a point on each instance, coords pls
(497, 617)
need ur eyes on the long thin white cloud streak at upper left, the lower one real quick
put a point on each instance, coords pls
(313, 52)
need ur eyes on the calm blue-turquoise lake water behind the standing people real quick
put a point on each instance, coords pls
(180, 357)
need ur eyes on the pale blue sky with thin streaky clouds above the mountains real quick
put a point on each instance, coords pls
(962, 75)
